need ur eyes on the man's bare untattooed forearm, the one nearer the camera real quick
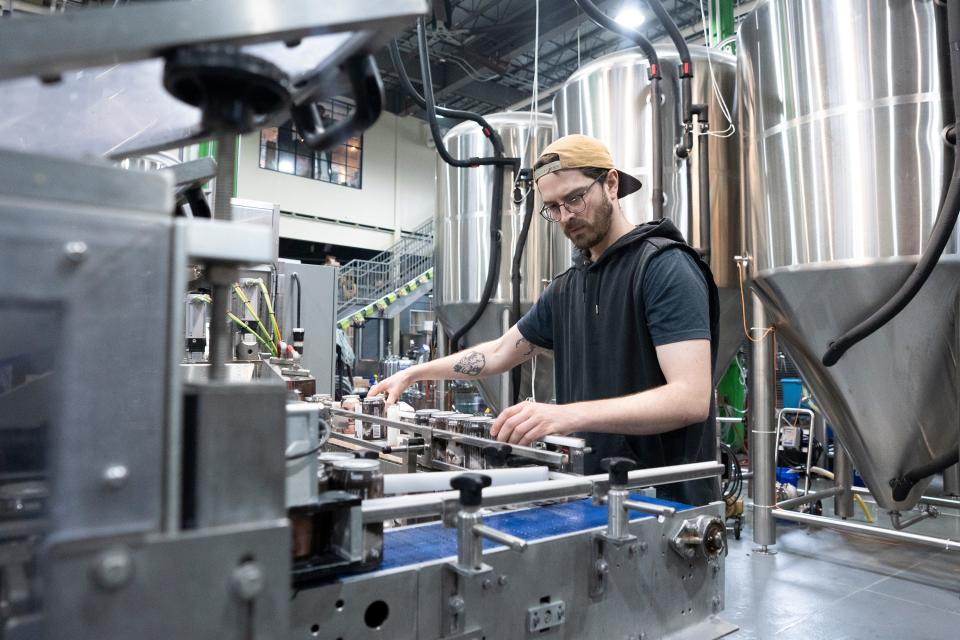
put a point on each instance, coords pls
(657, 410)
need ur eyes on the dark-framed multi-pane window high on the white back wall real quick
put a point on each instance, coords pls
(281, 149)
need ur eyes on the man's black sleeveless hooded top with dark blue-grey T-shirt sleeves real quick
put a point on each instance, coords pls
(603, 320)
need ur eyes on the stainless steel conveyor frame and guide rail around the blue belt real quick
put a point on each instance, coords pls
(577, 584)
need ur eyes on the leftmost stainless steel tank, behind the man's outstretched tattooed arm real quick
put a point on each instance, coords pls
(463, 247)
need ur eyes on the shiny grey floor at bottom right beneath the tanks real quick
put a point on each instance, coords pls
(823, 584)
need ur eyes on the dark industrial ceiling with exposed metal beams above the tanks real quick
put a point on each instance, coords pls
(482, 51)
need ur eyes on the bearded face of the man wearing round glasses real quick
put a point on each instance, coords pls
(590, 226)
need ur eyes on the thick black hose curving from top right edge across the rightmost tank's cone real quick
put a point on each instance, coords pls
(942, 228)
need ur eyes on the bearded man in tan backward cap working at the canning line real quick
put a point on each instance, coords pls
(633, 328)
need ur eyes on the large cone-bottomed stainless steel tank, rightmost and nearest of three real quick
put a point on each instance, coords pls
(843, 107)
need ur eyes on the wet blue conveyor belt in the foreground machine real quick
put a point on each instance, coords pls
(413, 545)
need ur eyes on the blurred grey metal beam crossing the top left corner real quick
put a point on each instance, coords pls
(92, 37)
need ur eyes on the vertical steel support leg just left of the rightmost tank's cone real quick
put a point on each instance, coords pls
(762, 434)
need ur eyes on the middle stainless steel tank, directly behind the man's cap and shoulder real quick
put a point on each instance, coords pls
(609, 99)
